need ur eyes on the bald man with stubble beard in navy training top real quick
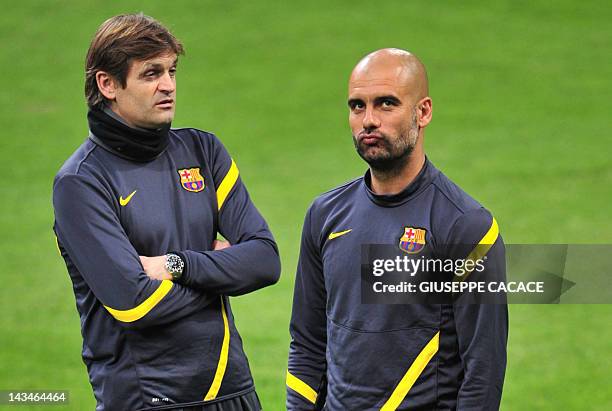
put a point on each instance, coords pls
(349, 354)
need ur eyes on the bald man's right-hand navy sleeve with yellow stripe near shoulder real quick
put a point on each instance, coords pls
(482, 327)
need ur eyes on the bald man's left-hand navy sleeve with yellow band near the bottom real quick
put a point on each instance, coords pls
(307, 364)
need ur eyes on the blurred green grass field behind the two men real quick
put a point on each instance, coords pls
(521, 93)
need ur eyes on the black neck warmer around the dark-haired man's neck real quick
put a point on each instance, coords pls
(127, 142)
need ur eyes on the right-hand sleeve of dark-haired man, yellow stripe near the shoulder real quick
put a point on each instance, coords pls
(252, 262)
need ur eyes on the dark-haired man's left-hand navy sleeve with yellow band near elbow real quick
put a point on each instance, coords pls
(93, 240)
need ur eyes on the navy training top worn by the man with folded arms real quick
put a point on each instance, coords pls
(149, 343)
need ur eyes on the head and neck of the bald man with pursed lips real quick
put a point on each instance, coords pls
(389, 107)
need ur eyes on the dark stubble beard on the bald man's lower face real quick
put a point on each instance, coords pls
(391, 156)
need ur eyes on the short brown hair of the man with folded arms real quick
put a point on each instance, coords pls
(119, 41)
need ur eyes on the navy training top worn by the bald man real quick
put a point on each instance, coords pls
(347, 355)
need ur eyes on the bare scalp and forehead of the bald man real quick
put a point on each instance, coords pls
(390, 64)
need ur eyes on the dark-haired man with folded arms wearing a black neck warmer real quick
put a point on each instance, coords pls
(138, 207)
